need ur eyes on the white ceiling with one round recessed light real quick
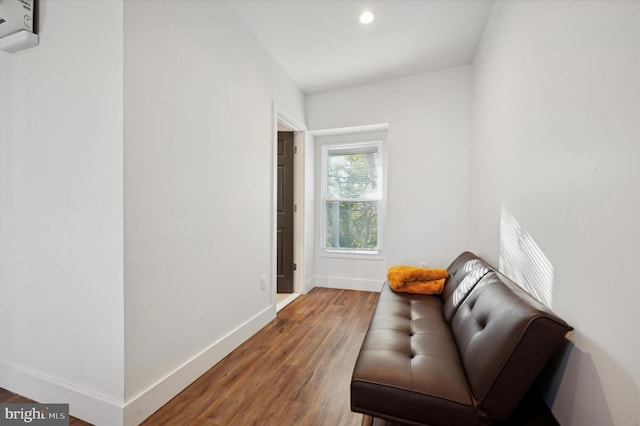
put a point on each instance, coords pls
(321, 45)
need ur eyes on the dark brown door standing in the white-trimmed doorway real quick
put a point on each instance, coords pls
(285, 212)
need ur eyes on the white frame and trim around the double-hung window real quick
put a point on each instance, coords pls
(347, 141)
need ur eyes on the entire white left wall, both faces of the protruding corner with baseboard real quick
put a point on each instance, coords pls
(117, 314)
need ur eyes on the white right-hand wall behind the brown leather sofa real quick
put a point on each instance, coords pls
(556, 132)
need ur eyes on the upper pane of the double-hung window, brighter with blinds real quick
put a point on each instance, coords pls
(353, 173)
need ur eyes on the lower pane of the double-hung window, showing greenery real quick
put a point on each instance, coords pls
(352, 225)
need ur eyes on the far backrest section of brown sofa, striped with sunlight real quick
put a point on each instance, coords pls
(464, 273)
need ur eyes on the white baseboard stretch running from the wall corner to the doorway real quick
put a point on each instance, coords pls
(147, 402)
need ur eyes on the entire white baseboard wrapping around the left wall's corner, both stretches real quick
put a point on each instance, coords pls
(101, 410)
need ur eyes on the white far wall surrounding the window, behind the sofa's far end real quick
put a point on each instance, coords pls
(428, 150)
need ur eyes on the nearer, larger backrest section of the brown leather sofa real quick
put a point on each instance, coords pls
(505, 337)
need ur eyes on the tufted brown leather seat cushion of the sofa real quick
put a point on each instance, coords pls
(409, 368)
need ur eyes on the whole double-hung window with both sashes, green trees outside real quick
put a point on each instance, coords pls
(352, 195)
